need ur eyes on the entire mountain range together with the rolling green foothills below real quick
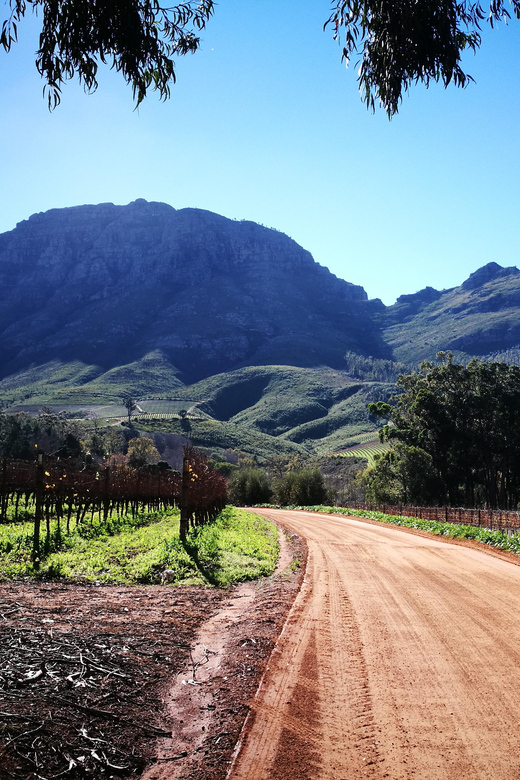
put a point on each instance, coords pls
(278, 353)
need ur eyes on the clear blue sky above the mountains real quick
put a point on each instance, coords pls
(266, 124)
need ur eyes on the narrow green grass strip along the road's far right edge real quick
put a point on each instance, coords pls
(455, 531)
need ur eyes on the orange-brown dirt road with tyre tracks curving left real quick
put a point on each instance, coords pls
(400, 659)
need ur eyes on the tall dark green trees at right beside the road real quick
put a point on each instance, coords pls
(467, 419)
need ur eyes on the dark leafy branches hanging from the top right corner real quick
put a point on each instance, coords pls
(402, 42)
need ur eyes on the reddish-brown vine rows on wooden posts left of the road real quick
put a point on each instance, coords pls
(60, 495)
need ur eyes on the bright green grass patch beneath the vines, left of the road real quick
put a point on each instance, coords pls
(237, 546)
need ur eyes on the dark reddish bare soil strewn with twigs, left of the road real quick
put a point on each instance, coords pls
(151, 682)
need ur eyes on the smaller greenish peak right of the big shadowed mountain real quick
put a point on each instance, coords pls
(480, 318)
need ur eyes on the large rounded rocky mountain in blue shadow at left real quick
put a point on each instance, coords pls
(106, 286)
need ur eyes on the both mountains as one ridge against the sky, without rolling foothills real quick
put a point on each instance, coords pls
(99, 296)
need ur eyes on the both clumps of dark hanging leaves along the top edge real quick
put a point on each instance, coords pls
(399, 42)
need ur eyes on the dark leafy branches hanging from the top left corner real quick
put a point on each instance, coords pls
(138, 38)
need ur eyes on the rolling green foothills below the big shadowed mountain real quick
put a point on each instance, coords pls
(260, 410)
